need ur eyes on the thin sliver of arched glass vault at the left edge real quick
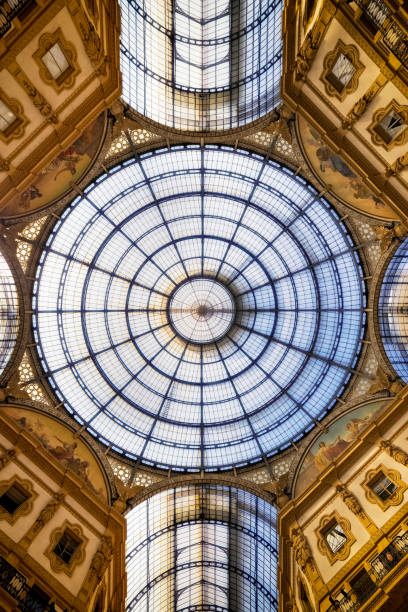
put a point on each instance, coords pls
(9, 316)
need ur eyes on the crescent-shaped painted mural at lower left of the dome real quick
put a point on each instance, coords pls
(60, 442)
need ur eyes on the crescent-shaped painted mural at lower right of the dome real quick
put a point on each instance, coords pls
(328, 446)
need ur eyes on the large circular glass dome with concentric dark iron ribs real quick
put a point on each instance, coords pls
(198, 308)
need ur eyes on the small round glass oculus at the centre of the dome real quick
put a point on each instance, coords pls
(201, 310)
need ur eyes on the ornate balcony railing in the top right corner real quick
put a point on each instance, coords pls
(380, 15)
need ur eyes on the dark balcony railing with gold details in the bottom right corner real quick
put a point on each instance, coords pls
(367, 585)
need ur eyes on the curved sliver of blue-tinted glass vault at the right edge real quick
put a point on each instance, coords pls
(393, 311)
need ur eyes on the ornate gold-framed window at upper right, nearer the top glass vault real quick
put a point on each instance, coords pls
(342, 69)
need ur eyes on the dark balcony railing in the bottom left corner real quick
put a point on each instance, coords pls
(15, 584)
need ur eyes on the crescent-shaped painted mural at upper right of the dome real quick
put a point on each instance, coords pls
(332, 170)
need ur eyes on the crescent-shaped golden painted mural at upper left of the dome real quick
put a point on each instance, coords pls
(56, 178)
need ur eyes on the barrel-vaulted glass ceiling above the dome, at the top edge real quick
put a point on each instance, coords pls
(201, 65)
